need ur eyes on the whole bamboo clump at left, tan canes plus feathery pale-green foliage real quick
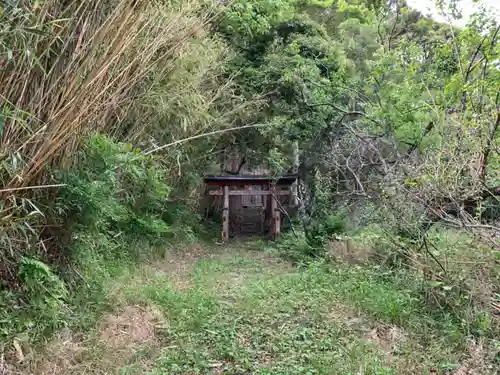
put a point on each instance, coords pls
(145, 72)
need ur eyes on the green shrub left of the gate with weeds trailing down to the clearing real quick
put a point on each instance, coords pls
(116, 204)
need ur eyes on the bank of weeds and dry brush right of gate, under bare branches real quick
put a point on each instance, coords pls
(454, 273)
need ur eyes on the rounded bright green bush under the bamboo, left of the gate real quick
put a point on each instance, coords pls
(115, 189)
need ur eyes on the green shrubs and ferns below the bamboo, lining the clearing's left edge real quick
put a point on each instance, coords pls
(115, 208)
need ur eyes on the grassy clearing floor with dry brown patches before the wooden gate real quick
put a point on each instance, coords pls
(243, 310)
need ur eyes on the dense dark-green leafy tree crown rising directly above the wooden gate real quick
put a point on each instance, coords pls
(294, 63)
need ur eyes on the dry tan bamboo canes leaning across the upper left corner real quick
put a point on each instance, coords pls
(73, 67)
